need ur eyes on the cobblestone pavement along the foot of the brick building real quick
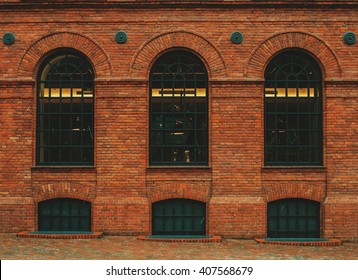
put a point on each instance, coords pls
(129, 248)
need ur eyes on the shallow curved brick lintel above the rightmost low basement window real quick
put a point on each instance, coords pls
(313, 191)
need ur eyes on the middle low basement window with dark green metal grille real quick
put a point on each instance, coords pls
(178, 217)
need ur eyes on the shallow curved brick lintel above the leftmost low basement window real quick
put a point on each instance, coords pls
(64, 189)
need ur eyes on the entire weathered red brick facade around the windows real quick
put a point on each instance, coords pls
(236, 186)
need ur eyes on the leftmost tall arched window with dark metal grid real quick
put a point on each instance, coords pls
(65, 110)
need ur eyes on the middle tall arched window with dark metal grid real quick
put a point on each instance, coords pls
(178, 110)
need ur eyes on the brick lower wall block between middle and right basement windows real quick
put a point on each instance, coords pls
(239, 216)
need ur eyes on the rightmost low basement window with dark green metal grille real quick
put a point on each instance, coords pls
(293, 218)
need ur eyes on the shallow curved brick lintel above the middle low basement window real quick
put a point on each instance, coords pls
(159, 193)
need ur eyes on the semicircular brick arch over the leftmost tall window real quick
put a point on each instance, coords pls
(33, 55)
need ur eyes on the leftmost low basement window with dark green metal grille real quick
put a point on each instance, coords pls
(64, 214)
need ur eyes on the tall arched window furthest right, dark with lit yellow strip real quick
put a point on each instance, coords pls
(293, 110)
